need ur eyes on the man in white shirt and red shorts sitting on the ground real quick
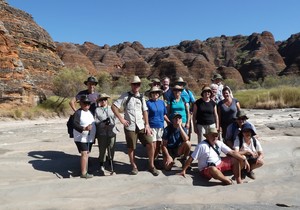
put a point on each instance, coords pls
(210, 162)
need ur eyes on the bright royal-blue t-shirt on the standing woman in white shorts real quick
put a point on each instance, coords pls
(156, 112)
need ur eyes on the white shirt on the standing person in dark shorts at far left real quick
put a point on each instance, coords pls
(86, 118)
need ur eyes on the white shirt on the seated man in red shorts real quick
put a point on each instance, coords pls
(206, 154)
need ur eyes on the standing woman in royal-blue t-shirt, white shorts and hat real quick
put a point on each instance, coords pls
(157, 114)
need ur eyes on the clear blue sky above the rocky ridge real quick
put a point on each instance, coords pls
(158, 23)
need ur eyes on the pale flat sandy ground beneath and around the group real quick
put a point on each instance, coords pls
(40, 170)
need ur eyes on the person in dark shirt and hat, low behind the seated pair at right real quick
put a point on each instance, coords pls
(234, 128)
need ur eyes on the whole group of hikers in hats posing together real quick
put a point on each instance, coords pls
(163, 119)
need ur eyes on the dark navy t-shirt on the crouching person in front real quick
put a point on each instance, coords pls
(172, 135)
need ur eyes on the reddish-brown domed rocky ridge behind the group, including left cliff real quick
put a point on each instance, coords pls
(29, 58)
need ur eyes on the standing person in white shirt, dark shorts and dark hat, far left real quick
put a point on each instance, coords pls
(84, 133)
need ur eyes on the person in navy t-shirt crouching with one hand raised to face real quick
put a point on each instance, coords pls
(175, 142)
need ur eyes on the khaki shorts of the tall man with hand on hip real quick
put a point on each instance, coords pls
(133, 136)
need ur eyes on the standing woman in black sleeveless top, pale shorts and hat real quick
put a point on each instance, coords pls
(205, 114)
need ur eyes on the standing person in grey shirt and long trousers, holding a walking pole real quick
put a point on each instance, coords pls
(106, 130)
